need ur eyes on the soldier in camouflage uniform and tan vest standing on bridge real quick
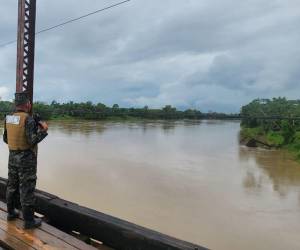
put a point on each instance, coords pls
(22, 134)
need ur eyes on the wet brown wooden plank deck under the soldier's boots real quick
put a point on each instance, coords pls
(12, 236)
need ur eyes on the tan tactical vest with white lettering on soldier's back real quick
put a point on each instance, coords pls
(16, 136)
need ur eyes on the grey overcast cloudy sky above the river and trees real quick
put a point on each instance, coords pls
(205, 54)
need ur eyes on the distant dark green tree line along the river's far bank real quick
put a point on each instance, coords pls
(99, 111)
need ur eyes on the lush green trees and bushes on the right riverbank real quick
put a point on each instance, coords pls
(273, 122)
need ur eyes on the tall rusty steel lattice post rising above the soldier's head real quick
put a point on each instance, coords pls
(26, 44)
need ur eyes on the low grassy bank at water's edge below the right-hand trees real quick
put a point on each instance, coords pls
(258, 137)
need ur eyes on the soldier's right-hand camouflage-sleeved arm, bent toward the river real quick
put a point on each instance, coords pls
(34, 136)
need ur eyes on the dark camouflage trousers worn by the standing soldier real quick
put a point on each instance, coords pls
(22, 167)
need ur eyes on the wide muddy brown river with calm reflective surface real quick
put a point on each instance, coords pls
(191, 180)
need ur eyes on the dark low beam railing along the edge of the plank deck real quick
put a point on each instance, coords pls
(113, 232)
